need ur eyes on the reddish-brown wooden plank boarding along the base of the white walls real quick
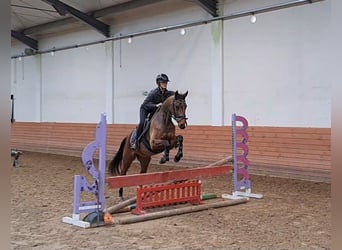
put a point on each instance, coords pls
(303, 153)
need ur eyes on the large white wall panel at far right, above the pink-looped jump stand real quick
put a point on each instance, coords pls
(276, 69)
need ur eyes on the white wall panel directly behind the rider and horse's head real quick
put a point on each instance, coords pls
(185, 59)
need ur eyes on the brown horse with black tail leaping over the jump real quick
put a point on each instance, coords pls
(158, 136)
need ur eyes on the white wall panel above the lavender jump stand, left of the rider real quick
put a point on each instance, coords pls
(74, 85)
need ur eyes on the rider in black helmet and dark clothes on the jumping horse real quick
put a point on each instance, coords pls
(151, 103)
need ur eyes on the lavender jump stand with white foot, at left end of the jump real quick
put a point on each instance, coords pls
(82, 185)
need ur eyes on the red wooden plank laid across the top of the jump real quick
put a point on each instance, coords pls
(160, 177)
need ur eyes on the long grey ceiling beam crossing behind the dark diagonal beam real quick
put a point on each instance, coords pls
(96, 14)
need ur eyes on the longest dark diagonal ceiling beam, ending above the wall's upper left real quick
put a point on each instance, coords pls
(98, 25)
